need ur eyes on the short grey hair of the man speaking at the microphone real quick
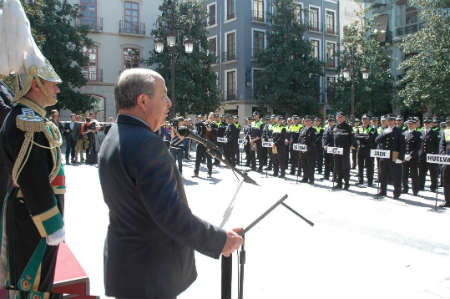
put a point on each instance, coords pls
(131, 84)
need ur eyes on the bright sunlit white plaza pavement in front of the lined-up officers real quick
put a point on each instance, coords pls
(359, 247)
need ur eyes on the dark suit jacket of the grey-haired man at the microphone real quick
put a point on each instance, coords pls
(152, 235)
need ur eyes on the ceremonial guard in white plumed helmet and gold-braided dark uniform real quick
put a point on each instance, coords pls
(32, 221)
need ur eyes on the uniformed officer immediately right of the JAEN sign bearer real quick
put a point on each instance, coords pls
(410, 166)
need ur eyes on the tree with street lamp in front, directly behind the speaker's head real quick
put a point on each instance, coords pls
(195, 88)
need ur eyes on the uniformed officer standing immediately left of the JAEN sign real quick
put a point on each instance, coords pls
(365, 141)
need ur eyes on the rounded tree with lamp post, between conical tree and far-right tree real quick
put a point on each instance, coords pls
(362, 51)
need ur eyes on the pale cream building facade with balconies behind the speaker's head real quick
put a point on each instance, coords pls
(121, 31)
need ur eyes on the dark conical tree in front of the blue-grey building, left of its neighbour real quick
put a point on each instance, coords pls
(289, 81)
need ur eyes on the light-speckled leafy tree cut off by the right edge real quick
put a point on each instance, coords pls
(425, 85)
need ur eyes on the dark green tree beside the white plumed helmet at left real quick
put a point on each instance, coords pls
(62, 42)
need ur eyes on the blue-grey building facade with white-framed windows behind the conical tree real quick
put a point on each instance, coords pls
(237, 29)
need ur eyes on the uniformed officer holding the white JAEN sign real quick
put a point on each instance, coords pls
(391, 139)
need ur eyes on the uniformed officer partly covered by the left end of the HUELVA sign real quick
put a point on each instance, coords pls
(429, 145)
